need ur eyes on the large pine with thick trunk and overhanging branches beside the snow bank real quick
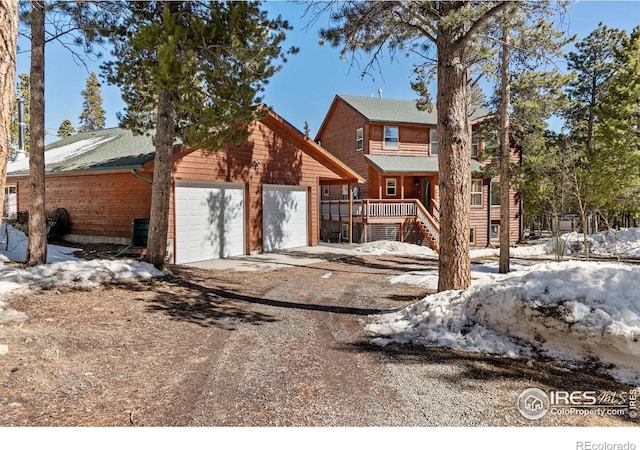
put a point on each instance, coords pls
(453, 27)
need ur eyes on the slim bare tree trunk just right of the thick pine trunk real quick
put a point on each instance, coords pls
(505, 153)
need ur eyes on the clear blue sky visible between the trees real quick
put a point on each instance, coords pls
(304, 88)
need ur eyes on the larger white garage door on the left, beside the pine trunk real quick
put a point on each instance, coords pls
(209, 221)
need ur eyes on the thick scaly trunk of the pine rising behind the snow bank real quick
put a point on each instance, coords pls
(454, 138)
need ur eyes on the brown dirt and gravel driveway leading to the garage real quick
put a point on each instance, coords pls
(272, 348)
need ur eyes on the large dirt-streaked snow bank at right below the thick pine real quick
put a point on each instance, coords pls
(575, 312)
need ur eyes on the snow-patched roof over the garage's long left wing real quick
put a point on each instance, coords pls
(108, 149)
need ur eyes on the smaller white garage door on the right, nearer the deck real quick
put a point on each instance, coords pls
(284, 217)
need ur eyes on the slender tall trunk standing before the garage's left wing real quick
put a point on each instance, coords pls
(37, 248)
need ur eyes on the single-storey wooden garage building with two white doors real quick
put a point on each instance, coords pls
(260, 197)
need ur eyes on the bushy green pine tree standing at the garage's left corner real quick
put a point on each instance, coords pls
(192, 71)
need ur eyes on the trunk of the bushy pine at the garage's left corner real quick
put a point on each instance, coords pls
(160, 193)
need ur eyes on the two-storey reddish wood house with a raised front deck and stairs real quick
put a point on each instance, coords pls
(394, 147)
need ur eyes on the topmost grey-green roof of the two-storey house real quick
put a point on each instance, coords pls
(377, 109)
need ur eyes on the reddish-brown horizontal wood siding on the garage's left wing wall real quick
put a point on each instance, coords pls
(98, 204)
